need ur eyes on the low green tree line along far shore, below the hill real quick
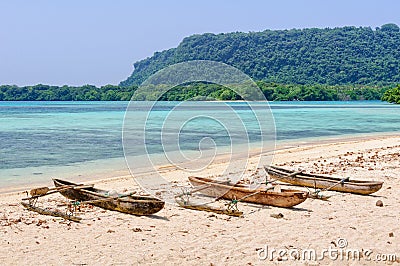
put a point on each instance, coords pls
(195, 91)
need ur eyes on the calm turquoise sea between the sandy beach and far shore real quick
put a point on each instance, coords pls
(39, 139)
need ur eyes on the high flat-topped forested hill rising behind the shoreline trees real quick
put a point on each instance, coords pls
(347, 55)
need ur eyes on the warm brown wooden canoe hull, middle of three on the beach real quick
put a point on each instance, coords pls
(214, 188)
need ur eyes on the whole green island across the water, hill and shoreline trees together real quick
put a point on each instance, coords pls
(345, 63)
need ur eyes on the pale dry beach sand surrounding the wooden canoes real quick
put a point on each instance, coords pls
(177, 236)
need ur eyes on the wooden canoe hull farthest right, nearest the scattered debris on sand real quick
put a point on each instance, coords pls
(324, 182)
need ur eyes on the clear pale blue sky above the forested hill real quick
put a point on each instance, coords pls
(79, 42)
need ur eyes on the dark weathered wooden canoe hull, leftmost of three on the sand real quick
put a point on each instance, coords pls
(131, 204)
